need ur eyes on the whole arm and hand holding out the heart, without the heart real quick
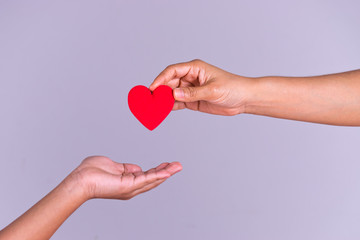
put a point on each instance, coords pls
(328, 99)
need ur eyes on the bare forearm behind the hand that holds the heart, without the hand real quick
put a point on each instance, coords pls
(329, 99)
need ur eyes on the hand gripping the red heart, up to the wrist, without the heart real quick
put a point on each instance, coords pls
(202, 87)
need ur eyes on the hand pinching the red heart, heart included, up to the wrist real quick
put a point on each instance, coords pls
(197, 86)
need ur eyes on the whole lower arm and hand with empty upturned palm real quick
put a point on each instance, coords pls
(96, 177)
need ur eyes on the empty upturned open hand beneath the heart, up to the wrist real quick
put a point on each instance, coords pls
(104, 178)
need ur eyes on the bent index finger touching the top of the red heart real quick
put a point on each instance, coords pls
(172, 72)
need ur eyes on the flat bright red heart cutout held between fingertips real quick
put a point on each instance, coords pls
(151, 108)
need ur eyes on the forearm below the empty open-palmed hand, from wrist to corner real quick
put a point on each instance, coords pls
(45, 217)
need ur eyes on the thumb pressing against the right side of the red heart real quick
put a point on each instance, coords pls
(191, 94)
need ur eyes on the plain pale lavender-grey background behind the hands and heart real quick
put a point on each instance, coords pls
(66, 68)
